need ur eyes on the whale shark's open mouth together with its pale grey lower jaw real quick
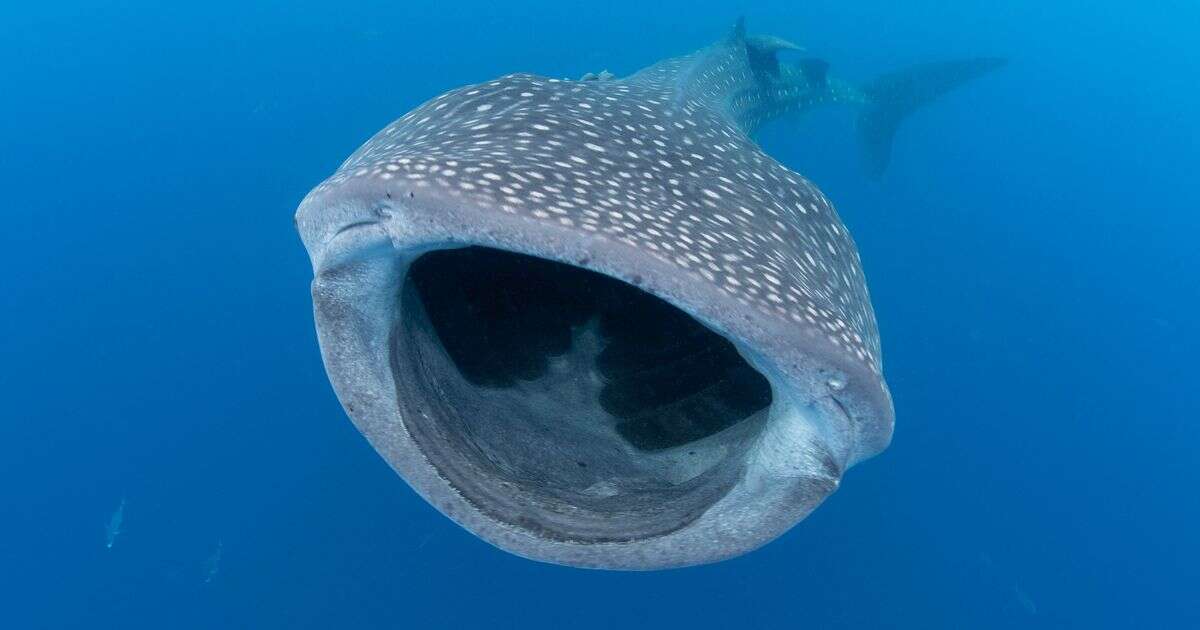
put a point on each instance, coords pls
(566, 416)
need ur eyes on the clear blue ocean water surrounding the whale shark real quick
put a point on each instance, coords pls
(1031, 255)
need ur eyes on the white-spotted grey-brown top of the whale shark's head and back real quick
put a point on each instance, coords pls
(662, 161)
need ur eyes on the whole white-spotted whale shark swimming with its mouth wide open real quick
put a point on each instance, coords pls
(593, 323)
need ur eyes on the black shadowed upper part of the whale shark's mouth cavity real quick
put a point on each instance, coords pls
(667, 379)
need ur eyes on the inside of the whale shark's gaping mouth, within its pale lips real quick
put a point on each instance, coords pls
(568, 404)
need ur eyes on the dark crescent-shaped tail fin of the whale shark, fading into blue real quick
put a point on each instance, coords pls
(892, 98)
